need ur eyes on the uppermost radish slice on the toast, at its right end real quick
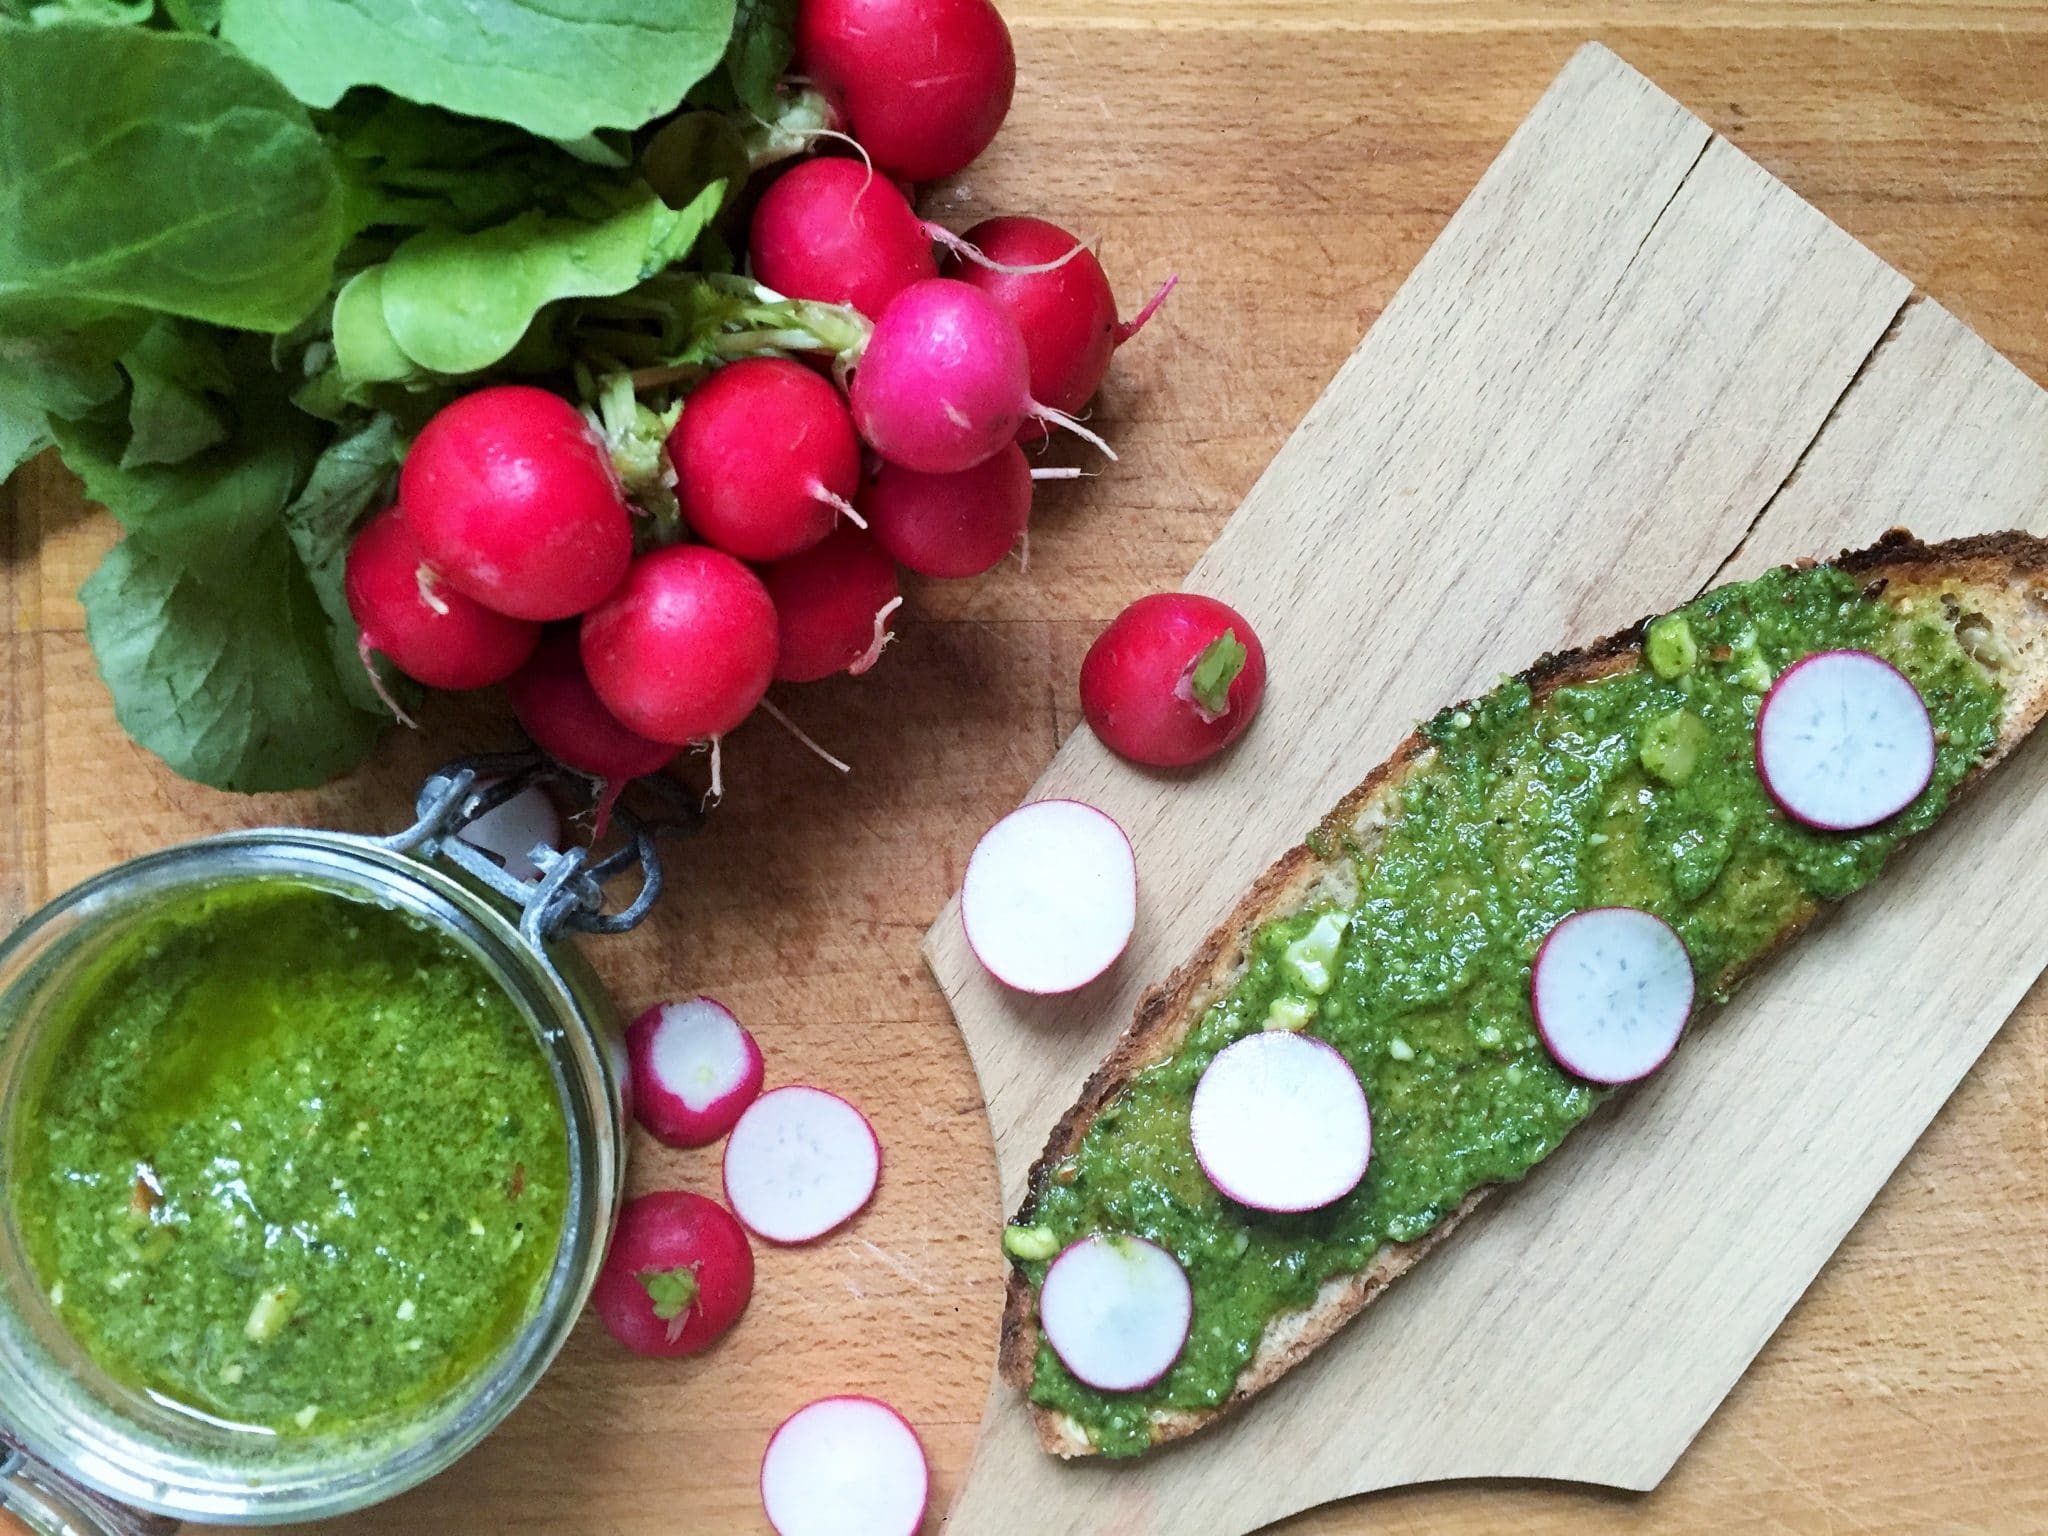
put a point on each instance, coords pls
(1844, 742)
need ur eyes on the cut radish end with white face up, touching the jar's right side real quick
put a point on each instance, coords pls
(695, 1070)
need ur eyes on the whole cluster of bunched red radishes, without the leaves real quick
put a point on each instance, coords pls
(519, 554)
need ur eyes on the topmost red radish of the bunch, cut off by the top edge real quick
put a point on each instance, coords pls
(923, 83)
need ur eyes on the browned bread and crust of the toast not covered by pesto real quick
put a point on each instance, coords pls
(1992, 591)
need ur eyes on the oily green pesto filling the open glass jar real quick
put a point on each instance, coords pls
(294, 1162)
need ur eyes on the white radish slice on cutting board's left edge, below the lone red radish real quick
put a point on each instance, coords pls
(1052, 896)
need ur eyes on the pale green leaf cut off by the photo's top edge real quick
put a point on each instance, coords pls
(560, 71)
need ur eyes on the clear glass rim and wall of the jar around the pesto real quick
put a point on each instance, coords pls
(120, 1441)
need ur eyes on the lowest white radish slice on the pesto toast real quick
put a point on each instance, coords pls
(1117, 1312)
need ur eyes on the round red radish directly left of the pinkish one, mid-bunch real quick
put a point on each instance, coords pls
(765, 458)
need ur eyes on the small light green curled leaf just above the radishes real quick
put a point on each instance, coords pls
(456, 304)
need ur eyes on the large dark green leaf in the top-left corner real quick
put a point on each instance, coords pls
(157, 171)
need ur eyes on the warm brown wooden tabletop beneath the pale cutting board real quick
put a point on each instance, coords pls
(1293, 161)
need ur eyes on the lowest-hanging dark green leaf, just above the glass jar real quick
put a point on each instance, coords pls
(224, 669)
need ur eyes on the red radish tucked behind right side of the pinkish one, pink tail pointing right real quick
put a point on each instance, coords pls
(1066, 312)
